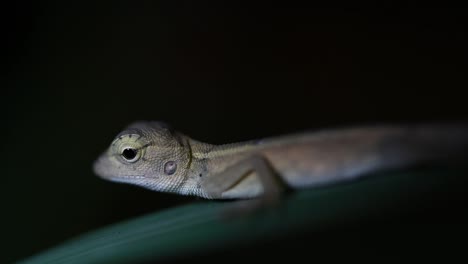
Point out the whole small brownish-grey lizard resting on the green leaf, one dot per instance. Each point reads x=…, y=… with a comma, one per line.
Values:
x=155, y=156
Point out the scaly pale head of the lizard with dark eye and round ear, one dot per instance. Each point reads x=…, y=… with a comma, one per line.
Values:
x=148, y=154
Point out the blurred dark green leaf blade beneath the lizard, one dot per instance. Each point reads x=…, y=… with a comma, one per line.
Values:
x=198, y=228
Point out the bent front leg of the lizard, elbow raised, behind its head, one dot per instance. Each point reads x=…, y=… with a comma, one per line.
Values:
x=273, y=186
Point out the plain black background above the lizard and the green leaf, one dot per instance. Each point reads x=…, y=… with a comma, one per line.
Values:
x=76, y=74
